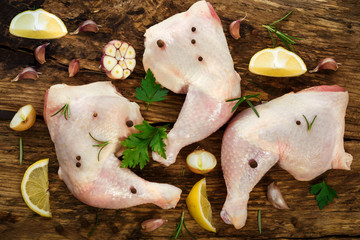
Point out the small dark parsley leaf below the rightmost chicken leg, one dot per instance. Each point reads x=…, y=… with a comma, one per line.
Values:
x=324, y=193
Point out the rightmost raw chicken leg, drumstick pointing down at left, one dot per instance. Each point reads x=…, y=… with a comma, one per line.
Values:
x=252, y=145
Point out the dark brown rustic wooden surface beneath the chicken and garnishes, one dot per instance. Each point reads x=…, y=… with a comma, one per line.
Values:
x=328, y=29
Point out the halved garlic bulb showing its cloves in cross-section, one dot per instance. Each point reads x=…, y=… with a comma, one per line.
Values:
x=118, y=59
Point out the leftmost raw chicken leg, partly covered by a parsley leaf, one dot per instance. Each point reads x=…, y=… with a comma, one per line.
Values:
x=94, y=176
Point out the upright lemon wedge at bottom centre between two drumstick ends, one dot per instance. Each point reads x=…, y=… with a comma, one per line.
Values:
x=199, y=206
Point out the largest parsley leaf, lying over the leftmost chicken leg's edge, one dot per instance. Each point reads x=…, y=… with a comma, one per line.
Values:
x=137, y=145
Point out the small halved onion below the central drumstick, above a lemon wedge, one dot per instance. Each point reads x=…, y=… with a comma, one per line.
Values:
x=201, y=161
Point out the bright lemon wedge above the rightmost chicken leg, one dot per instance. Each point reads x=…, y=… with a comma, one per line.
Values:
x=277, y=62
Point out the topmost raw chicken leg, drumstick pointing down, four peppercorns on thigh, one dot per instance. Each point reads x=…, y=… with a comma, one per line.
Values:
x=188, y=54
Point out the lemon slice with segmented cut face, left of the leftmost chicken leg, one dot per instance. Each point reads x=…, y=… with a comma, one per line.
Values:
x=35, y=188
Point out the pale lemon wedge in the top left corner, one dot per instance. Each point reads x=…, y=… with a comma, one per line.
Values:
x=37, y=24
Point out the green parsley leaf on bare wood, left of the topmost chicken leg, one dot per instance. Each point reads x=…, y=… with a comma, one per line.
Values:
x=149, y=91
